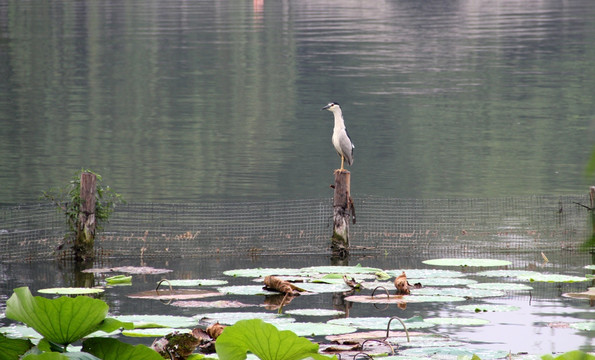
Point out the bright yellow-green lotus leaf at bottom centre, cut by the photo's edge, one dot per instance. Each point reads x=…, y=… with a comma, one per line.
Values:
x=265, y=341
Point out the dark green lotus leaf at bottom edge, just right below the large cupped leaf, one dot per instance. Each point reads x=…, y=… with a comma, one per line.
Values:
x=113, y=349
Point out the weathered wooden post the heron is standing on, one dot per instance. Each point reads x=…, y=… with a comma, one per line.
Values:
x=341, y=214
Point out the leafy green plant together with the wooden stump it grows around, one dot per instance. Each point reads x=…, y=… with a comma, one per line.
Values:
x=87, y=205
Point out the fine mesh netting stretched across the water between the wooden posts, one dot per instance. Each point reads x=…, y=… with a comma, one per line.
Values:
x=304, y=227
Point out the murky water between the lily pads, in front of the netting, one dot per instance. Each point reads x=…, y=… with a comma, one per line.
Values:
x=539, y=327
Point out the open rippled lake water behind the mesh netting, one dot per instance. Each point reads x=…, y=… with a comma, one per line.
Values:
x=220, y=100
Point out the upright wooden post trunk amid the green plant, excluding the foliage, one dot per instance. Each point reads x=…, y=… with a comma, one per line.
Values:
x=85, y=237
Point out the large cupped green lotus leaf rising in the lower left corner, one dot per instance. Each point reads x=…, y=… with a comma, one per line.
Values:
x=62, y=320
